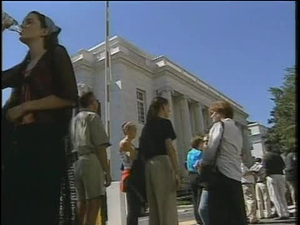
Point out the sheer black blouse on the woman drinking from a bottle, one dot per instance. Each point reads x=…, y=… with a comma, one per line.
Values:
x=52, y=75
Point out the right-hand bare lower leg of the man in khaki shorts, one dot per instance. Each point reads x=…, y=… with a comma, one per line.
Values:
x=92, y=210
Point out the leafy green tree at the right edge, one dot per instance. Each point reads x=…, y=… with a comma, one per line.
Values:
x=283, y=116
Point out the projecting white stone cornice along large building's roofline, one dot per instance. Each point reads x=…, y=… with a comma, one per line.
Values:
x=129, y=53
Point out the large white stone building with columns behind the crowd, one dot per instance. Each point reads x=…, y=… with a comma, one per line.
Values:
x=143, y=77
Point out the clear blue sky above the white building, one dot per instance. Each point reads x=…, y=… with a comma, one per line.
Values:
x=239, y=48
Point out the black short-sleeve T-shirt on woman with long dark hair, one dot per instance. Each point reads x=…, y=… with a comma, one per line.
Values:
x=154, y=135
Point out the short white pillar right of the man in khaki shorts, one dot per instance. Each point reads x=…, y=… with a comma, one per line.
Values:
x=116, y=205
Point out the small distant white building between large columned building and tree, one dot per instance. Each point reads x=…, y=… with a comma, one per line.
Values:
x=257, y=131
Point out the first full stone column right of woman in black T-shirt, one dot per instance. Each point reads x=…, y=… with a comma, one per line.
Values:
x=186, y=123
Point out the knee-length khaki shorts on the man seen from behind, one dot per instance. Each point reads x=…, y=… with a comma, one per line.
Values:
x=89, y=177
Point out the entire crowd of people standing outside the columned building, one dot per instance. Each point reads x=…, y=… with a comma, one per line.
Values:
x=38, y=117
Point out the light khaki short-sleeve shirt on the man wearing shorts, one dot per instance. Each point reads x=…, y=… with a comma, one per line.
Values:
x=87, y=132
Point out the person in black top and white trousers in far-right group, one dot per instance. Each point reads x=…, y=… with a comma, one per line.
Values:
x=274, y=166
